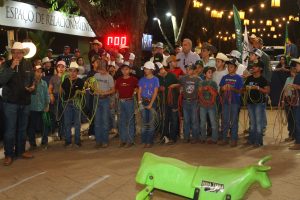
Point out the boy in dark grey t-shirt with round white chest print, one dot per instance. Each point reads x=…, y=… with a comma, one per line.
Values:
x=190, y=84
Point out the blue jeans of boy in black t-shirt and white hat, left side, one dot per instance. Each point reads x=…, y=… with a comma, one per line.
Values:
x=72, y=115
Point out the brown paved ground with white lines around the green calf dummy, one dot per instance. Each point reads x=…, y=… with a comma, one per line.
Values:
x=87, y=173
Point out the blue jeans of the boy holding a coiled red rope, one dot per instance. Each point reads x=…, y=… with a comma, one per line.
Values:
x=212, y=113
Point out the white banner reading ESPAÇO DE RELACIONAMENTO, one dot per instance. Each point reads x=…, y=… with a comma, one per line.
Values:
x=22, y=15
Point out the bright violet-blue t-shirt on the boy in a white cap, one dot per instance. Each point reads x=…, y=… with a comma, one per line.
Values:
x=148, y=86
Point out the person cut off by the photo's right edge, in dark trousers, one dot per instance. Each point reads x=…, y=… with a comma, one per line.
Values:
x=296, y=85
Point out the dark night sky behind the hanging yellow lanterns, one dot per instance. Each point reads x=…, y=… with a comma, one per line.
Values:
x=199, y=18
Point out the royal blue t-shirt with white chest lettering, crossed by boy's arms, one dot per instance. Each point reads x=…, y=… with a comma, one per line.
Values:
x=236, y=82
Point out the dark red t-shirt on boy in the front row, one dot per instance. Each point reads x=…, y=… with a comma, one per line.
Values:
x=125, y=87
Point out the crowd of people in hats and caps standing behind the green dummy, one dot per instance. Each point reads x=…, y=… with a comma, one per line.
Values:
x=202, y=93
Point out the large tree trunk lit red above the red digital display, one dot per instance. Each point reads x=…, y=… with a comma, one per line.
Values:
x=106, y=16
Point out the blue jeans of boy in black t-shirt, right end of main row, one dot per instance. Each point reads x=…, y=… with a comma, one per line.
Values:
x=256, y=115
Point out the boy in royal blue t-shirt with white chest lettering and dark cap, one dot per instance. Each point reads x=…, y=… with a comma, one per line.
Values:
x=231, y=86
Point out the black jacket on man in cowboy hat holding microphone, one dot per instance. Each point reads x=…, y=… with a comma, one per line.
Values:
x=14, y=82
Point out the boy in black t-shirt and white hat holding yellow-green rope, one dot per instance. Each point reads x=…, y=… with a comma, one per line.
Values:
x=72, y=114
